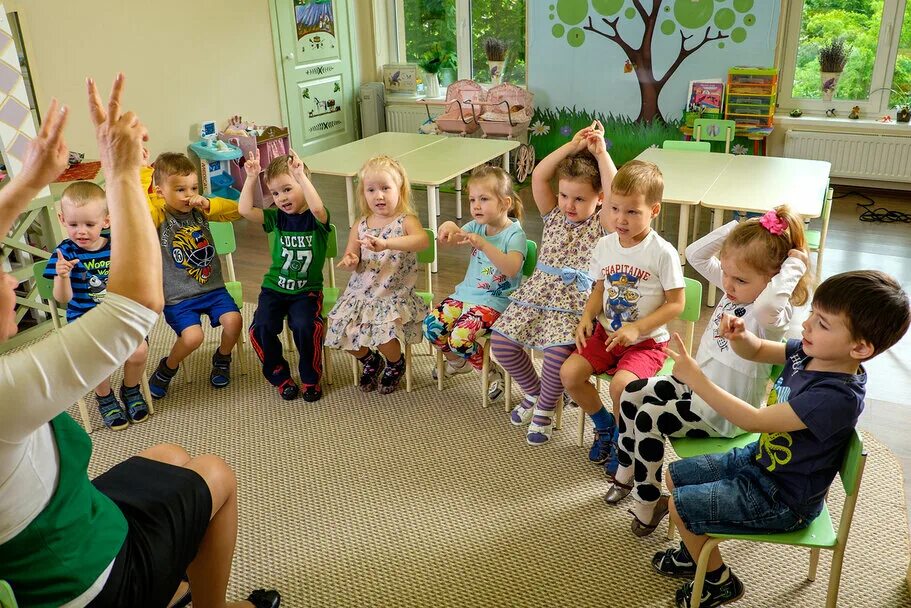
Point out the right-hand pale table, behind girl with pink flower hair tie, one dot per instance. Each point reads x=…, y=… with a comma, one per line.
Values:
x=759, y=183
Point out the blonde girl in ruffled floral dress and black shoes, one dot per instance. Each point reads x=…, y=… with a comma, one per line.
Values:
x=380, y=309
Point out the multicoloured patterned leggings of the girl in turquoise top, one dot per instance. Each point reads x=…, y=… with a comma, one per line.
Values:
x=453, y=329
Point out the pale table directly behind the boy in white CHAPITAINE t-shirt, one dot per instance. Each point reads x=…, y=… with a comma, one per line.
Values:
x=687, y=177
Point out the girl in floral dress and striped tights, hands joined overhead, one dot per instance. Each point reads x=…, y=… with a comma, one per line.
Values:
x=546, y=309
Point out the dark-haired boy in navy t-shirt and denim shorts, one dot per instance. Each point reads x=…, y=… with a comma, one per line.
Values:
x=779, y=483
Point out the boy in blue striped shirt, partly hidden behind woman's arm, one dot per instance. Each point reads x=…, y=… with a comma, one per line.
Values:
x=79, y=267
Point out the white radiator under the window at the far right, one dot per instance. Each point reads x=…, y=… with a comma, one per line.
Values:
x=870, y=157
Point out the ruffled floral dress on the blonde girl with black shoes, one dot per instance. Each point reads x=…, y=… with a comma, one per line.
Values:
x=379, y=303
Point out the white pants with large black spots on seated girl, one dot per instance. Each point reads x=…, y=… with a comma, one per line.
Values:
x=650, y=410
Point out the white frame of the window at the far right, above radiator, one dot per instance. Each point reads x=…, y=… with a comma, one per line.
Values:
x=883, y=68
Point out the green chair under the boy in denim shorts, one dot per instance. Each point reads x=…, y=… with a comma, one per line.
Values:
x=820, y=534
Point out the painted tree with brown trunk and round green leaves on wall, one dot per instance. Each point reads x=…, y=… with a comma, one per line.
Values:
x=722, y=20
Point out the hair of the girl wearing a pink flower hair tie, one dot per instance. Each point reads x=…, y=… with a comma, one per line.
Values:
x=766, y=252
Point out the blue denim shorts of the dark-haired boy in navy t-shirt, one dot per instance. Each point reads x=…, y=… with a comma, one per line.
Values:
x=728, y=494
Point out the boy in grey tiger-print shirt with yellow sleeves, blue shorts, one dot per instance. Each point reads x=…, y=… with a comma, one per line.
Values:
x=193, y=284
